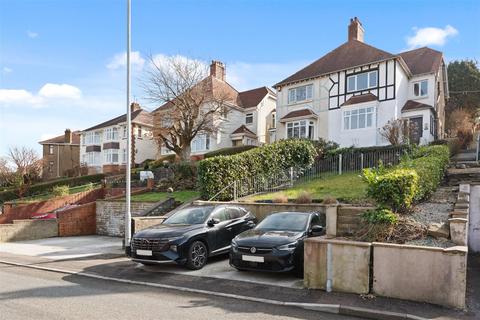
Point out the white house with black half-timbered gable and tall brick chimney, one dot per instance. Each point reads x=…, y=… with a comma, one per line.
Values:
x=349, y=94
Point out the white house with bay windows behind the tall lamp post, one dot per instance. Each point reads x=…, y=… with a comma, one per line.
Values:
x=103, y=146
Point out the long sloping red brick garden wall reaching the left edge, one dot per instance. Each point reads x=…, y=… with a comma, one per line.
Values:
x=14, y=210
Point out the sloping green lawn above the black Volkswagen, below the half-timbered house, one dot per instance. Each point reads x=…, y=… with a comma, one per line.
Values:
x=347, y=187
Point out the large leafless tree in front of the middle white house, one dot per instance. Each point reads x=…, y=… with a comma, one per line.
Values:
x=193, y=103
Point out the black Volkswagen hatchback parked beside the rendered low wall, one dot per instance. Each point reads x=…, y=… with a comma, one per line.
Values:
x=276, y=243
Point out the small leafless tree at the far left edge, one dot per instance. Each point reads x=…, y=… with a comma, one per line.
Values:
x=28, y=169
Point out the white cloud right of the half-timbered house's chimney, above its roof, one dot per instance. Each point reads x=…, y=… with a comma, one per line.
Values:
x=431, y=36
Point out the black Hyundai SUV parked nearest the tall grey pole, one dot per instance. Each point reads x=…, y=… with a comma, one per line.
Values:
x=191, y=235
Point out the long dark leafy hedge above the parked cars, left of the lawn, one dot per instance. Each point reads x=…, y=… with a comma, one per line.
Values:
x=216, y=173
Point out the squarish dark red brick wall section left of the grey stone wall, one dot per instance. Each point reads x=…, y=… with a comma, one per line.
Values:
x=77, y=221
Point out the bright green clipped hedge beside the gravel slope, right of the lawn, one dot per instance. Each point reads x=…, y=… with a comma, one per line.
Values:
x=414, y=179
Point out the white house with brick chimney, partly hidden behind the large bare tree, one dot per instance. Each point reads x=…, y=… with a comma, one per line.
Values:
x=249, y=121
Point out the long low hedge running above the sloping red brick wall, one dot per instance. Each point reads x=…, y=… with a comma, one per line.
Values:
x=45, y=187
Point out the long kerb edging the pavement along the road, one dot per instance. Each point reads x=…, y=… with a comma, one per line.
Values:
x=327, y=308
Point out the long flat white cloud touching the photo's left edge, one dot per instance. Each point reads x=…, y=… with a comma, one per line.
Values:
x=48, y=94
